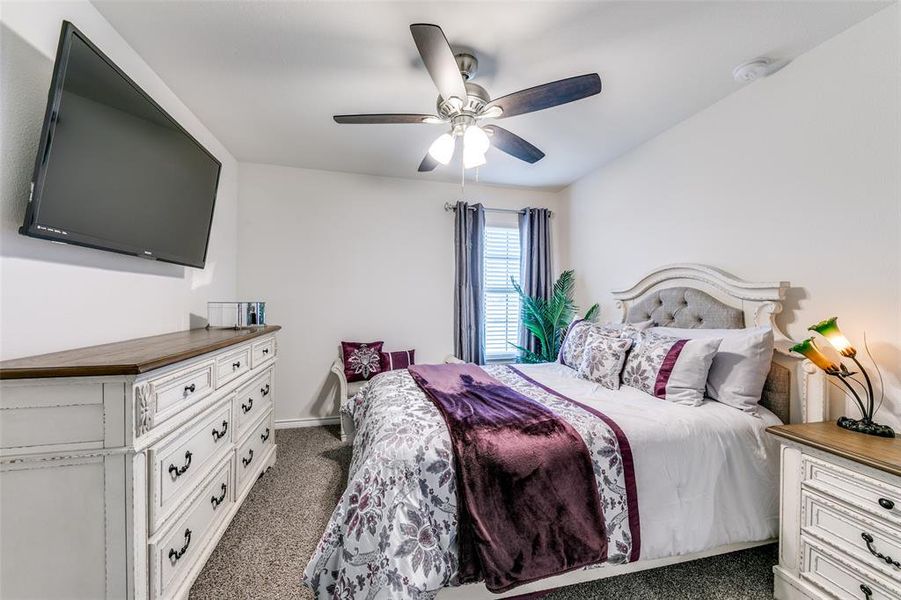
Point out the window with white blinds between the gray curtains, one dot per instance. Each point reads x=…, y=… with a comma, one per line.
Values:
x=501, y=300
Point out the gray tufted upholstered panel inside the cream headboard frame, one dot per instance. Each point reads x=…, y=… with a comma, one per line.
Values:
x=691, y=308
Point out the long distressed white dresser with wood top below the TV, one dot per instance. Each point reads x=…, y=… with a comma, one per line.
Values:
x=122, y=465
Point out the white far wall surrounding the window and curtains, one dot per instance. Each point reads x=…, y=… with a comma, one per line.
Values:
x=351, y=257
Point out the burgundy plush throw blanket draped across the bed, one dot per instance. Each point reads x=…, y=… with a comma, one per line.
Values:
x=528, y=500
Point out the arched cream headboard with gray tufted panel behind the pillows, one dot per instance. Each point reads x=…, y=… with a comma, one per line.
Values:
x=697, y=296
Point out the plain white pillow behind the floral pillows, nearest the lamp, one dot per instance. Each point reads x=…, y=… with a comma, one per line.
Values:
x=740, y=366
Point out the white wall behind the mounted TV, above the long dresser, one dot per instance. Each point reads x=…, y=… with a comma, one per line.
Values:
x=55, y=297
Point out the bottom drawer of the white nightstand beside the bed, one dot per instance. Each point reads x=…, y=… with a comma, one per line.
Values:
x=842, y=578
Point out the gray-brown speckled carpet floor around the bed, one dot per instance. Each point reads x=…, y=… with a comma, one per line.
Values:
x=266, y=547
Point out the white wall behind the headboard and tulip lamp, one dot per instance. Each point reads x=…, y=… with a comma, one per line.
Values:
x=796, y=177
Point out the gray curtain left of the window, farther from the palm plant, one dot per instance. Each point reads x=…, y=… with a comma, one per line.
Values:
x=469, y=323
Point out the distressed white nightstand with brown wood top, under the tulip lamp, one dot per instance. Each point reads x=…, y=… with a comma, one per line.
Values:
x=840, y=530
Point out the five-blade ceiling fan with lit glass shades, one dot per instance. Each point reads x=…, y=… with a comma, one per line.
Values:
x=462, y=104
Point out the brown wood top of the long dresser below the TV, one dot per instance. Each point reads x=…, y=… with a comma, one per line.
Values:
x=131, y=357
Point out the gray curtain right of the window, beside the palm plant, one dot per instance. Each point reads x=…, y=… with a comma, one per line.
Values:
x=535, y=271
